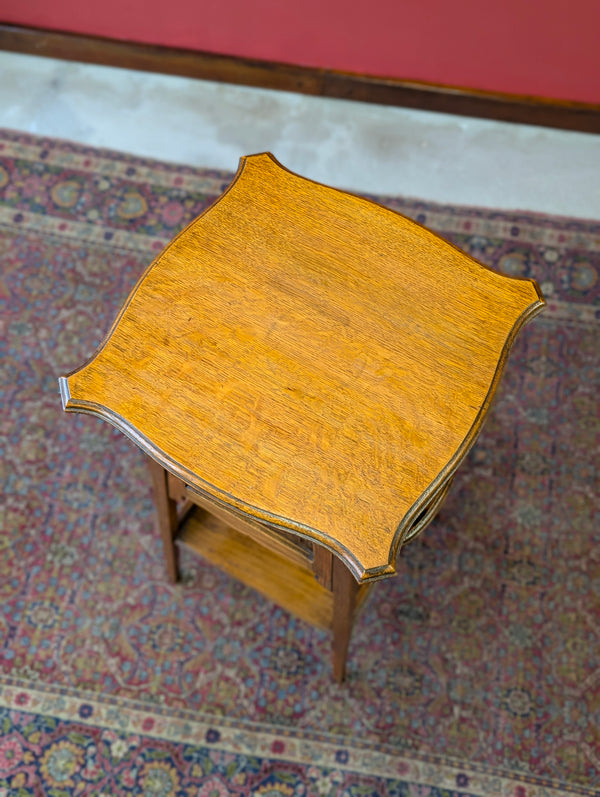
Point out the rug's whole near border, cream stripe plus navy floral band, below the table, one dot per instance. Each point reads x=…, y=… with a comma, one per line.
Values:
x=62, y=743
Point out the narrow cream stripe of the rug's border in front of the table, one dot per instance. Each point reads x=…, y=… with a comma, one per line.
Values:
x=276, y=743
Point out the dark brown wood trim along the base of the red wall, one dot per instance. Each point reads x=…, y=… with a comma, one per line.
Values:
x=563, y=114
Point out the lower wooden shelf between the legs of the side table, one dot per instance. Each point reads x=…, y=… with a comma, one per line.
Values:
x=286, y=583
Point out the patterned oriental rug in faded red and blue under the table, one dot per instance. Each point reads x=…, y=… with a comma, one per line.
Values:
x=475, y=672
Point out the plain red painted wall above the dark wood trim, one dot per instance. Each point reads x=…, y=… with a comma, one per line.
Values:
x=547, y=48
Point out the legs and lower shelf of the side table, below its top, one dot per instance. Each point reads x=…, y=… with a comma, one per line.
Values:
x=314, y=587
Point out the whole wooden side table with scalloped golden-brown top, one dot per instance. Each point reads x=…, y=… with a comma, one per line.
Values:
x=306, y=370
